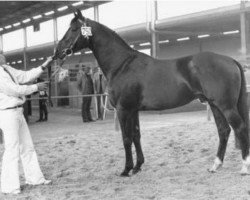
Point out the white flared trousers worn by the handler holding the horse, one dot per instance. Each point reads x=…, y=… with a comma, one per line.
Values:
x=17, y=144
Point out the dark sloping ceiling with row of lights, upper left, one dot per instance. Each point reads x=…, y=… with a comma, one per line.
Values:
x=12, y=12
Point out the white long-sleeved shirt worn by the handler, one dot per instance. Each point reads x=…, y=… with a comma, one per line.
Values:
x=11, y=93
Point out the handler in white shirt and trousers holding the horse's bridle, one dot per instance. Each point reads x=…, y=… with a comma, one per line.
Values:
x=17, y=140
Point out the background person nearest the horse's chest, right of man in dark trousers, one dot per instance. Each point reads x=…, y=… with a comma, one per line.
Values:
x=100, y=87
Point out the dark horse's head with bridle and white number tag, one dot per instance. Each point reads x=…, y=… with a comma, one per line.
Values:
x=76, y=38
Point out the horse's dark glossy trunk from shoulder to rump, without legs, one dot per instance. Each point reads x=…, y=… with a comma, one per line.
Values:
x=152, y=84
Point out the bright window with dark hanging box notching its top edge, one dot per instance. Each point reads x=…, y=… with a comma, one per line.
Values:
x=45, y=34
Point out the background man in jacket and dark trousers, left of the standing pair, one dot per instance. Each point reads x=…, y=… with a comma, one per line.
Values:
x=85, y=86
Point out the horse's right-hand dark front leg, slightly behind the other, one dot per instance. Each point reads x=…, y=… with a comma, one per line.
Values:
x=137, y=143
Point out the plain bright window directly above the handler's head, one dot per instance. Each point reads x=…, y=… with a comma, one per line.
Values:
x=13, y=40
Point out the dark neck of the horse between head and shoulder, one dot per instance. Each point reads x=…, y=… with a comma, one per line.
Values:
x=110, y=52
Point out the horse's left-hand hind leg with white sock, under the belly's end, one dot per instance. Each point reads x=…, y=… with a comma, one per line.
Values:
x=223, y=131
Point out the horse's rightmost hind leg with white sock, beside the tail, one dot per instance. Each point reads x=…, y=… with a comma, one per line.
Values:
x=241, y=133
